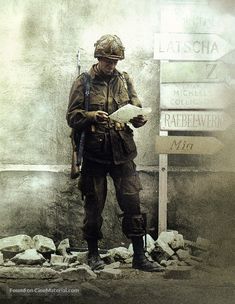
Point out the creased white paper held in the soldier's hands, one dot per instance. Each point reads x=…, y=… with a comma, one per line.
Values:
x=127, y=112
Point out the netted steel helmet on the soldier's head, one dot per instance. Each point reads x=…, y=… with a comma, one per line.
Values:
x=109, y=46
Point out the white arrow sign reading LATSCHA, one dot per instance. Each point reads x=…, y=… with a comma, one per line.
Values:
x=192, y=47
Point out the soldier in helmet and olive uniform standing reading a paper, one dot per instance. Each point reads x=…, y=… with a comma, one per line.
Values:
x=108, y=148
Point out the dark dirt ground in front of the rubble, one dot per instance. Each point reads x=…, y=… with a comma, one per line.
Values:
x=206, y=286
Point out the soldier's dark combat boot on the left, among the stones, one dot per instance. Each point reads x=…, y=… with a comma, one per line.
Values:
x=93, y=259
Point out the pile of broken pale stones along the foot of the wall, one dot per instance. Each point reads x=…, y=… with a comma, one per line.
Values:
x=24, y=257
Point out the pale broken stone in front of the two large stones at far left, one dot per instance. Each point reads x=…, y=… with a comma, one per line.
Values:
x=29, y=257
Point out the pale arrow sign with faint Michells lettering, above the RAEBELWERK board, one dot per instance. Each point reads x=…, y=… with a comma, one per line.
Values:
x=195, y=96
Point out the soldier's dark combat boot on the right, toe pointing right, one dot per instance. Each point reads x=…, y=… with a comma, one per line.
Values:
x=140, y=261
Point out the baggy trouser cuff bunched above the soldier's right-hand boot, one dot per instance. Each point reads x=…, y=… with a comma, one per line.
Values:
x=133, y=225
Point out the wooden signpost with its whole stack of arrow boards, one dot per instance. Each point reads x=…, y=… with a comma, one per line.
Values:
x=193, y=85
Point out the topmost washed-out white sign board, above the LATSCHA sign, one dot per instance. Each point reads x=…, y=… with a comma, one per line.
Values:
x=190, y=18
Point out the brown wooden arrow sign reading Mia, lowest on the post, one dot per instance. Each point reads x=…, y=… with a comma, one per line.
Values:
x=187, y=145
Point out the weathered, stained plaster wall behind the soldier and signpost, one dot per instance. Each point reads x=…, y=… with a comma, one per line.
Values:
x=39, y=42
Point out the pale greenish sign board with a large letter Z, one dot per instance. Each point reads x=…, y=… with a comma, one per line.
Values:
x=205, y=71
